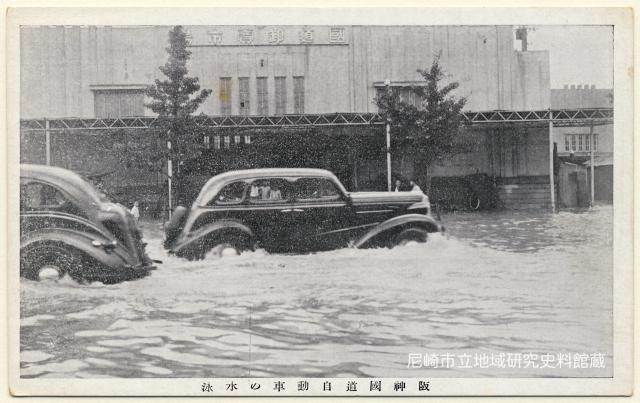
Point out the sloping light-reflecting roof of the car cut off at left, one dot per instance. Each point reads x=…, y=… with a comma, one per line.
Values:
x=66, y=179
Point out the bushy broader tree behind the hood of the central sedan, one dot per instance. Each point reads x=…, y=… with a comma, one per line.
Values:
x=429, y=131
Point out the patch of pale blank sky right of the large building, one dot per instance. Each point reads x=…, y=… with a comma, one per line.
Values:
x=579, y=54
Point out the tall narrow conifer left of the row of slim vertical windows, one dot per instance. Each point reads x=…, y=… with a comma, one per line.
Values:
x=172, y=99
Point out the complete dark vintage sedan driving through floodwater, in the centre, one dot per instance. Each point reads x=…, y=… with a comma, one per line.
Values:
x=294, y=210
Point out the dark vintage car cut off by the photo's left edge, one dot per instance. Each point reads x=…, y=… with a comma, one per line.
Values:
x=69, y=227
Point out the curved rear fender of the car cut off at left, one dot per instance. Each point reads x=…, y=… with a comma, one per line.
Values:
x=116, y=258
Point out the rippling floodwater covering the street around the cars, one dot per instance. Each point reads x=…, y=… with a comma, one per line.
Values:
x=508, y=282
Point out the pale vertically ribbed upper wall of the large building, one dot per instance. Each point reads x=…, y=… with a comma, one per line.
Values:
x=59, y=64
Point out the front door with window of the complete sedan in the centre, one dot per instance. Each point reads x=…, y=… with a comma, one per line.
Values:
x=321, y=214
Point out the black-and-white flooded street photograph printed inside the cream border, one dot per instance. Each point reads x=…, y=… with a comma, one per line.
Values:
x=346, y=208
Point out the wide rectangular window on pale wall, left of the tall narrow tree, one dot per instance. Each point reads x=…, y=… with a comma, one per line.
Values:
x=118, y=103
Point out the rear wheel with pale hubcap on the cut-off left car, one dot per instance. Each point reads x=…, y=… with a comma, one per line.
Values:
x=50, y=262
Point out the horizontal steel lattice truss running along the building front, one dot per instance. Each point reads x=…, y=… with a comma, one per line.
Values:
x=559, y=117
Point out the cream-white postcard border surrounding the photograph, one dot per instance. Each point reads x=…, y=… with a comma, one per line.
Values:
x=621, y=18
